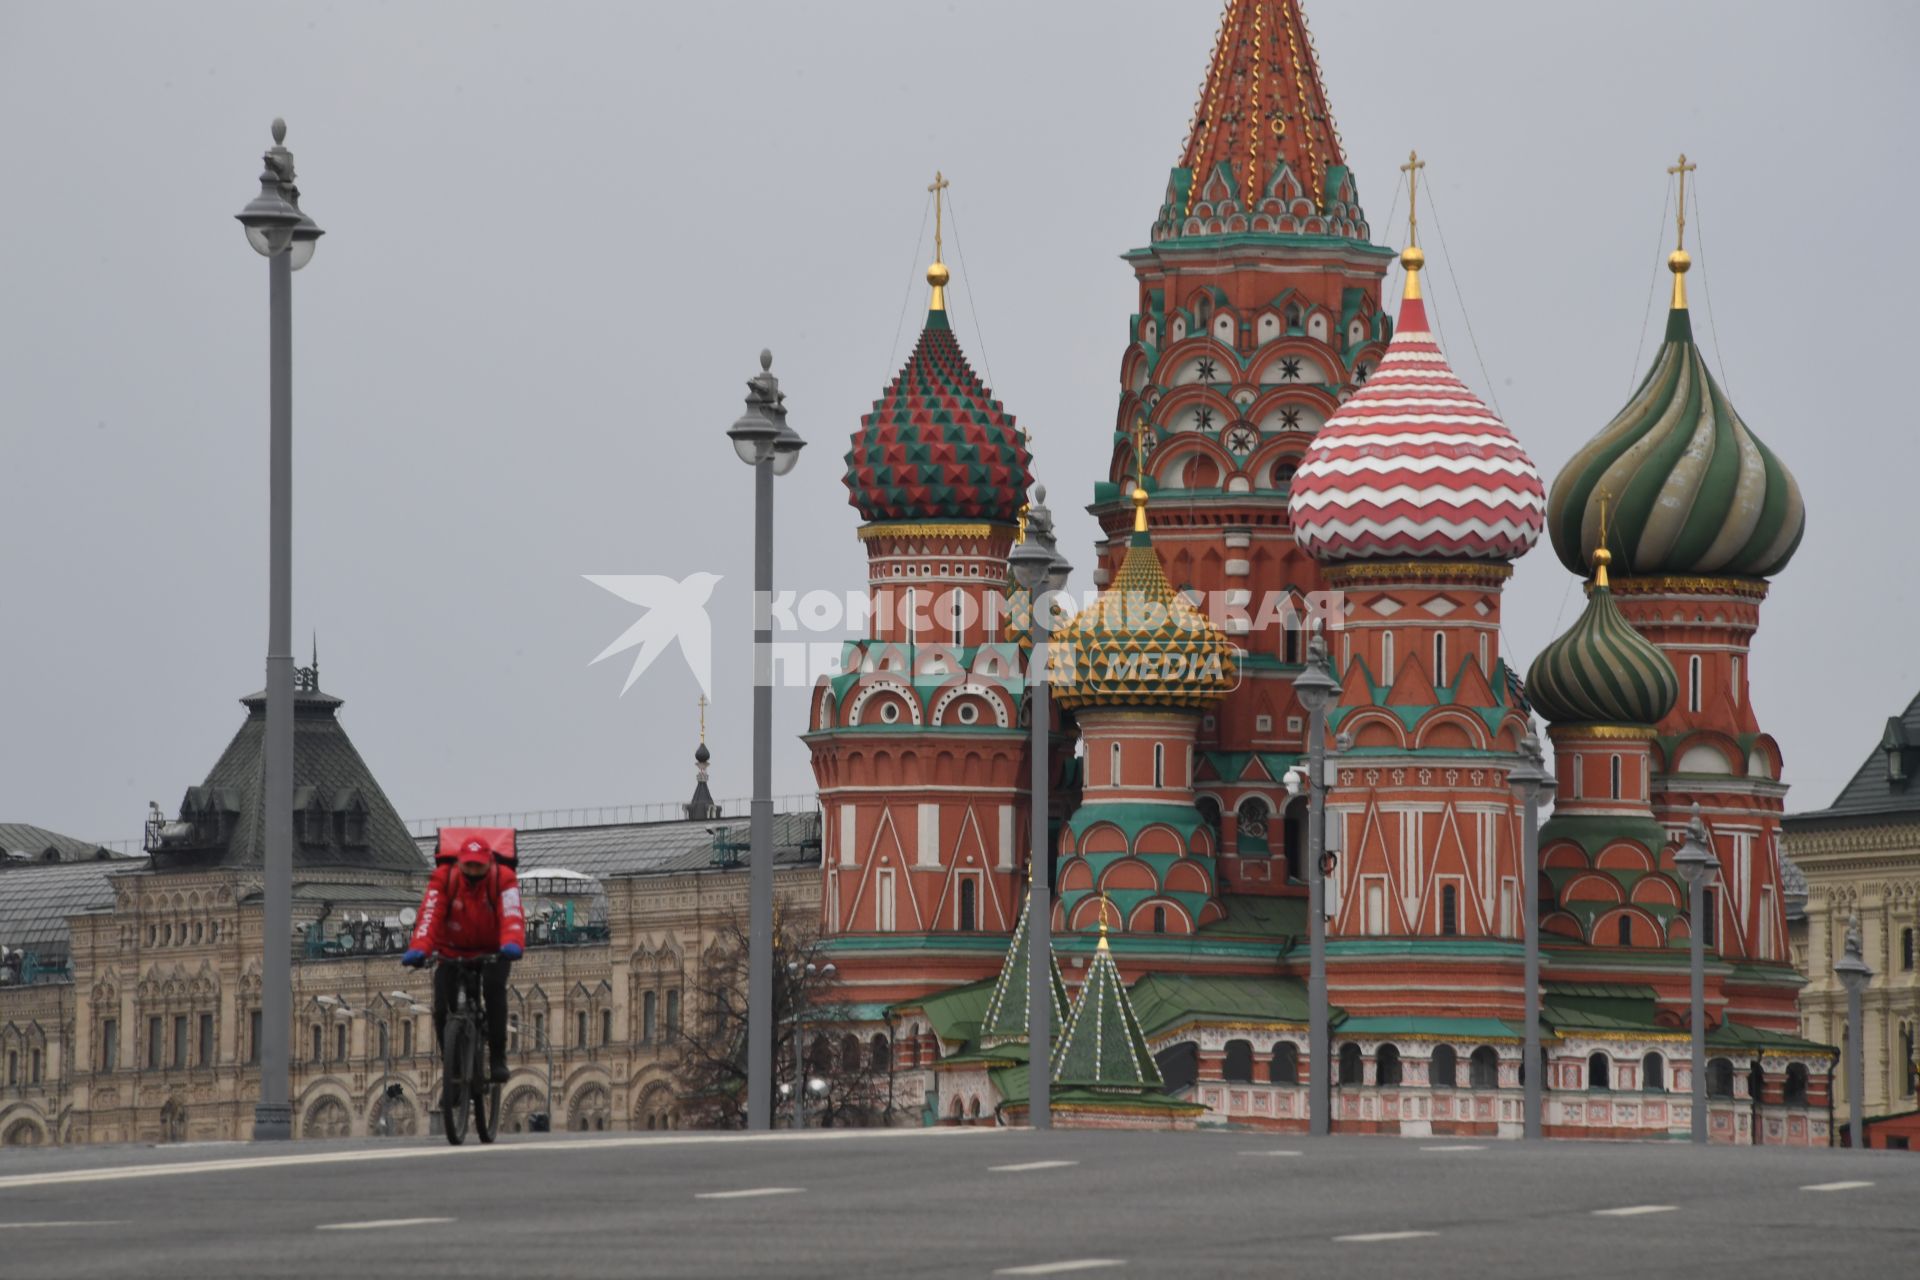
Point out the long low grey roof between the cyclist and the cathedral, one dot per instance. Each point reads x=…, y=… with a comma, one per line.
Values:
x=660, y=847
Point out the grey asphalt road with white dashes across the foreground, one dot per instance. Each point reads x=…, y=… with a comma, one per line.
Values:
x=957, y=1204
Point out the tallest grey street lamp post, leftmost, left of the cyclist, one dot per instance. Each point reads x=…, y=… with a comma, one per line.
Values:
x=285, y=237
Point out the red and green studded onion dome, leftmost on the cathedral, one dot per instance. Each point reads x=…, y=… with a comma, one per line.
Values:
x=938, y=444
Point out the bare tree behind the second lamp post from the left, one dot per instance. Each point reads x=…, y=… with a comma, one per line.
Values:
x=711, y=1047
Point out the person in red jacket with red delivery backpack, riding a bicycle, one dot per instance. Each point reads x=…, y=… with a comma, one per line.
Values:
x=471, y=911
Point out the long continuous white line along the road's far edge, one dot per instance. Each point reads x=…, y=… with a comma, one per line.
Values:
x=120, y=1173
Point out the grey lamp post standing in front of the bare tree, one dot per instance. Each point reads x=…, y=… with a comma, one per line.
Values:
x=765, y=442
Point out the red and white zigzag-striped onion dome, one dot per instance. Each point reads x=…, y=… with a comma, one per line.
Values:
x=1414, y=465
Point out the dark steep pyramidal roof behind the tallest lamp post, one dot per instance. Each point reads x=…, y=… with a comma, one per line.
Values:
x=333, y=794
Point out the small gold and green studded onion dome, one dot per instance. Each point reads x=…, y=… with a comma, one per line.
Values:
x=1141, y=644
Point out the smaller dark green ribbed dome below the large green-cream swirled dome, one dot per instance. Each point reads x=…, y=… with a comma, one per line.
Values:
x=1602, y=671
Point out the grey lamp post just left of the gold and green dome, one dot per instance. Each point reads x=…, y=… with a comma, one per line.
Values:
x=1040, y=571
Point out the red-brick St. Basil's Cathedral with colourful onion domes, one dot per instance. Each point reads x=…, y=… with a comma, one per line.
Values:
x=1291, y=446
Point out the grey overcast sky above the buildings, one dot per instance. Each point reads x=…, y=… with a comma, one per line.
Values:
x=560, y=235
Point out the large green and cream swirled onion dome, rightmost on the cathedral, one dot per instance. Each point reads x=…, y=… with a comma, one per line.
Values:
x=1687, y=488
